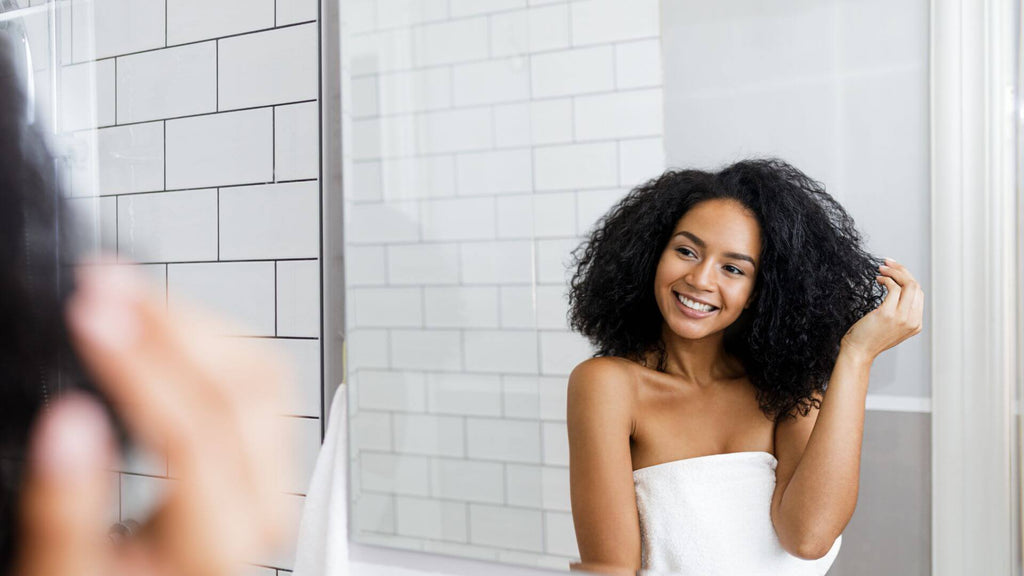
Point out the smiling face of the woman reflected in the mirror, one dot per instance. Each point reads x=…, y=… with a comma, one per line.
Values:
x=706, y=276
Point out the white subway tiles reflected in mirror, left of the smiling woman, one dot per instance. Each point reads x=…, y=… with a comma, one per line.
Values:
x=488, y=137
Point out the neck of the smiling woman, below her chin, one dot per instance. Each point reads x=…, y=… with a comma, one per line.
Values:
x=702, y=362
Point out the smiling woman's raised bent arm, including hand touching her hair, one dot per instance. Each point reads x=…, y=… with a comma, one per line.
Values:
x=820, y=455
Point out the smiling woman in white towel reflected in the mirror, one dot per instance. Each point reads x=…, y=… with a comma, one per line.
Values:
x=736, y=317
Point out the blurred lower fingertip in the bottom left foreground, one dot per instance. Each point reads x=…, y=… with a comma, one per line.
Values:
x=66, y=504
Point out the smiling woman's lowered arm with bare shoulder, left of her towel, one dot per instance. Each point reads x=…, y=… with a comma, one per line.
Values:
x=605, y=510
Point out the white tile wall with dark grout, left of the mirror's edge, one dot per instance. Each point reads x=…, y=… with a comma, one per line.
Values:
x=197, y=125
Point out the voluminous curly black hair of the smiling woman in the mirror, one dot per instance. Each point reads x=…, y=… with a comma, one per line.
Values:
x=815, y=281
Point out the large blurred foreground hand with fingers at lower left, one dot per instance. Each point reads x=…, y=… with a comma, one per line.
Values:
x=205, y=402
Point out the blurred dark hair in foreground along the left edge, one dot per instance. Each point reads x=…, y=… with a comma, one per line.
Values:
x=36, y=250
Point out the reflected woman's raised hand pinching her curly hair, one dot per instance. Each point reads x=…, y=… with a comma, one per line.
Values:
x=899, y=318
